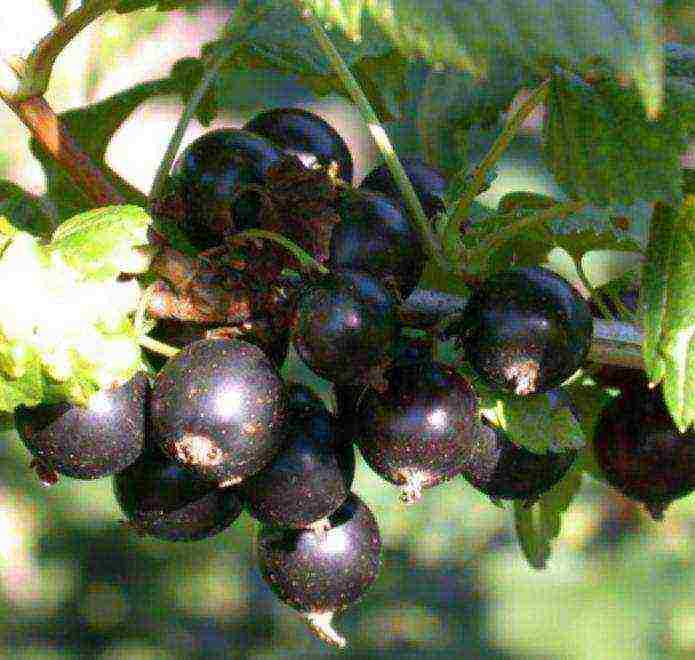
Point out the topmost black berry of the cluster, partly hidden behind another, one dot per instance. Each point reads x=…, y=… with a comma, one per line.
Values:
x=305, y=135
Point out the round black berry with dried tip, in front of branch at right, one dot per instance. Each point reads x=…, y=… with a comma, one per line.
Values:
x=525, y=330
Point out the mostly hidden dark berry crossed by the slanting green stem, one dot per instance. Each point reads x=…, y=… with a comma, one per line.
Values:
x=429, y=183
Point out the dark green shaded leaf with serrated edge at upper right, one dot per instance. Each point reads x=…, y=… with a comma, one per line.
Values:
x=601, y=146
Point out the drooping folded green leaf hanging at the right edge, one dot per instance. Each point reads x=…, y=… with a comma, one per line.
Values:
x=668, y=289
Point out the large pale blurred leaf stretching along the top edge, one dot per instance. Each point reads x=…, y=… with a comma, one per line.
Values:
x=471, y=35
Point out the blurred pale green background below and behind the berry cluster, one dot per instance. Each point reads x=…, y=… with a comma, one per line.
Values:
x=75, y=583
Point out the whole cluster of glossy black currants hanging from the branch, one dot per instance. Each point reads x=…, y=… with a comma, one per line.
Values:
x=218, y=431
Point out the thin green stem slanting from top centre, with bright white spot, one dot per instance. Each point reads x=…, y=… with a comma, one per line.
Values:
x=422, y=224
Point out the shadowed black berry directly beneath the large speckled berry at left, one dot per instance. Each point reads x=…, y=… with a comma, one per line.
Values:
x=162, y=499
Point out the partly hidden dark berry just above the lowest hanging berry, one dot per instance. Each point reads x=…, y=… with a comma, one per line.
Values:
x=304, y=483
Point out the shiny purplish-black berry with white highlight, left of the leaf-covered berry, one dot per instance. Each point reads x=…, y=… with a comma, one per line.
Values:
x=416, y=433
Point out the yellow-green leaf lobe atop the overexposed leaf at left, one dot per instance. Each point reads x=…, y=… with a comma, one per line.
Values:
x=100, y=243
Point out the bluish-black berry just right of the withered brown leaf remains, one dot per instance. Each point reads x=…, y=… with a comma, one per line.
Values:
x=375, y=236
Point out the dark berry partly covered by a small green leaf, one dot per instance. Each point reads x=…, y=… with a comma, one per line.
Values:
x=504, y=470
